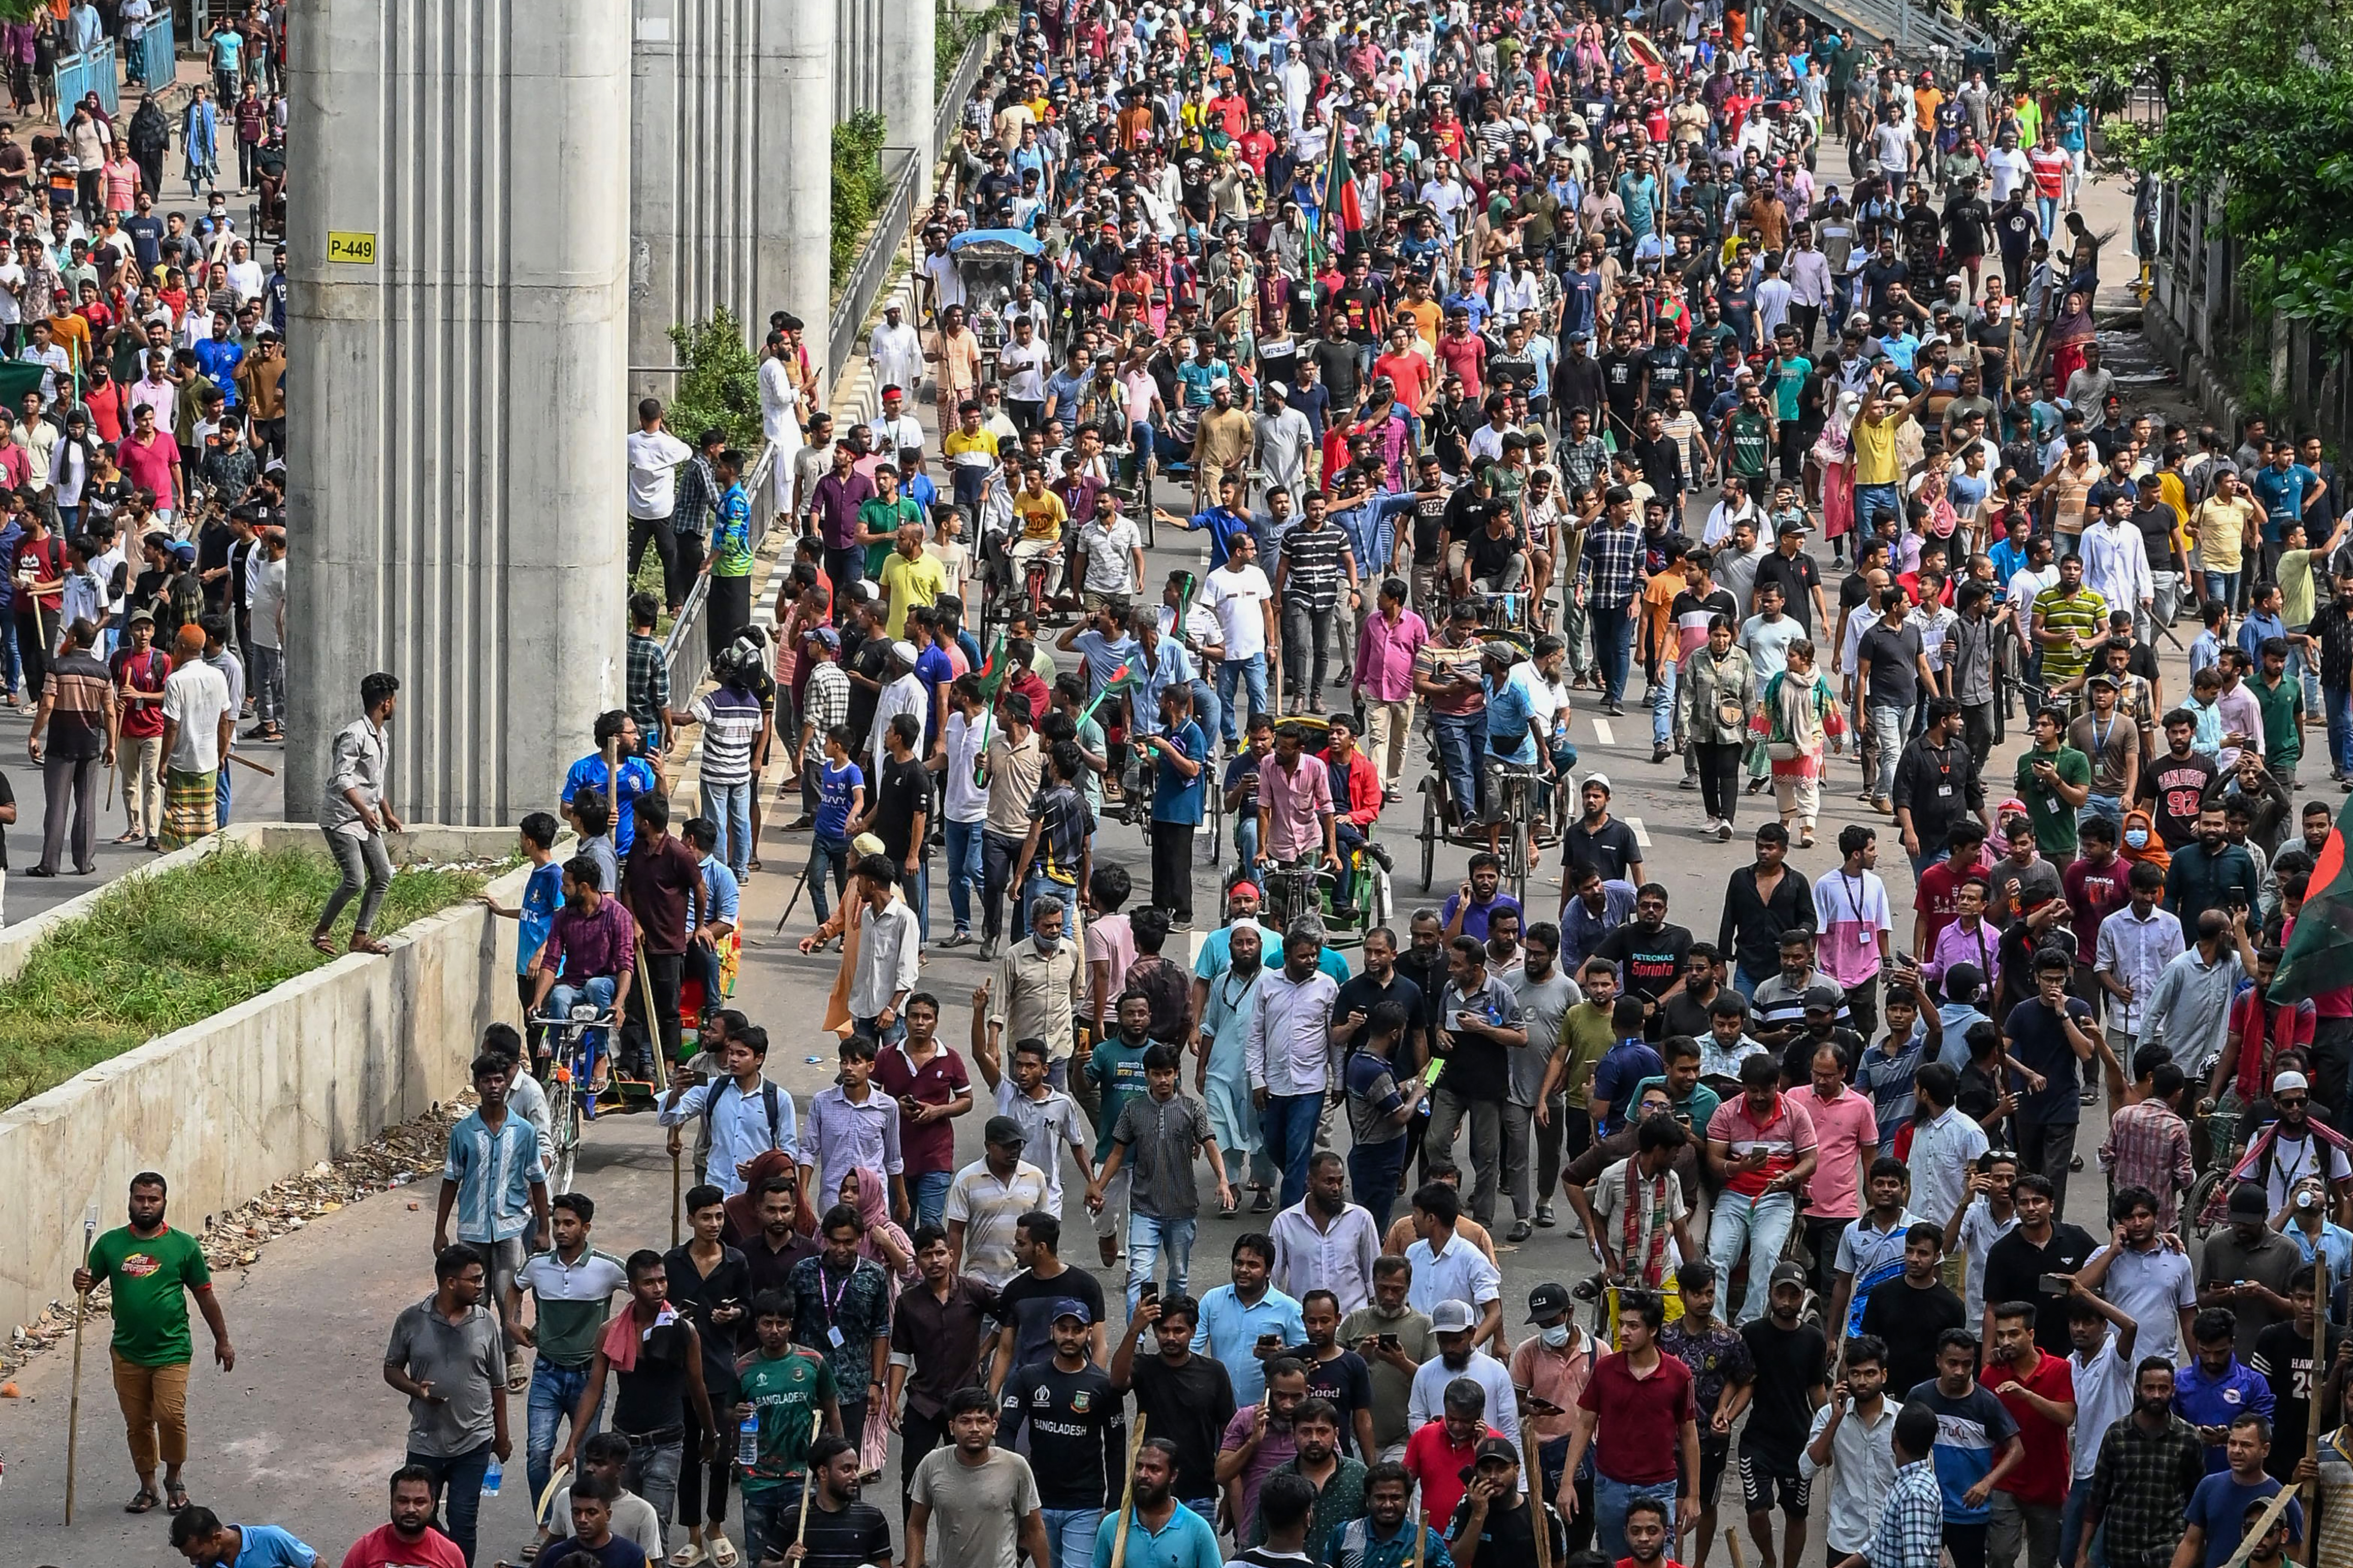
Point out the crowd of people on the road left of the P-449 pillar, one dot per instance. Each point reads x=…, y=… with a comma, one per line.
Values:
x=142, y=448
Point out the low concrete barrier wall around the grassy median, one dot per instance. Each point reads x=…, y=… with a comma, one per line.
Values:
x=302, y=1073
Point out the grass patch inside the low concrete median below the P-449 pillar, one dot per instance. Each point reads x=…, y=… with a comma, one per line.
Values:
x=161, y=953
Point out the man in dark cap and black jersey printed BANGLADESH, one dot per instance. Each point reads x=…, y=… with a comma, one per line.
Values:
x=1079, y=1433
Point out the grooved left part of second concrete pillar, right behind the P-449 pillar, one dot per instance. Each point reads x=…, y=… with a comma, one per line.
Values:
x=693, y=177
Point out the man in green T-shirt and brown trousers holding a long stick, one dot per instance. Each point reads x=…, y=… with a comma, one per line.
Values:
x=152, y=1271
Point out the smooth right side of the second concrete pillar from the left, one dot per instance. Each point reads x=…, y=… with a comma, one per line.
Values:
x=794, y=243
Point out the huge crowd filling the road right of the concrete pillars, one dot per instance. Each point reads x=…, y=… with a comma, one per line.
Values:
x=1451, y=319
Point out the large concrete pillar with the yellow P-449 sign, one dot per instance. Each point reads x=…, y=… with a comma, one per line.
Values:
x=458, y=462
